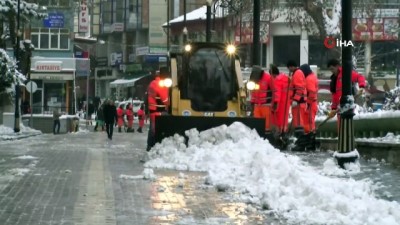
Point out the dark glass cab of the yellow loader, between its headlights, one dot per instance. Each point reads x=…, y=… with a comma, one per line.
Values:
x=207, y=77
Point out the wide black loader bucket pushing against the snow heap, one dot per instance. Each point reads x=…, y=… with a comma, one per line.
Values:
x=167, y=125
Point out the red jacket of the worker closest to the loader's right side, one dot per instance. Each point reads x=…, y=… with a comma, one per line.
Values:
x=263, y=95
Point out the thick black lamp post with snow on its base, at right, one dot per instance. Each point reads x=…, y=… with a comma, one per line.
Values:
x=346, y=145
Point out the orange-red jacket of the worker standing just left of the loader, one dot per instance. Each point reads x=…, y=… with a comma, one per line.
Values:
x=157, y=96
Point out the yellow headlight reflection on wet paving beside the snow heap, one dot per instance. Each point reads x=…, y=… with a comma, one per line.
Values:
x=185, y=199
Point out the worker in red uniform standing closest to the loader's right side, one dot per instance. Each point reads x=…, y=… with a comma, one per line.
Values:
x=261, y=98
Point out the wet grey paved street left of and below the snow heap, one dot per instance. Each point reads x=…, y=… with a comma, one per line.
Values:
x=85, y=179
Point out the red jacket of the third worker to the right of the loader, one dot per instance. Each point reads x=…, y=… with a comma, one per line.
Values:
x=297, y=89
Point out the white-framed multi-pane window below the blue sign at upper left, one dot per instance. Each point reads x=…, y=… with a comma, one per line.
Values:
x=50, y=38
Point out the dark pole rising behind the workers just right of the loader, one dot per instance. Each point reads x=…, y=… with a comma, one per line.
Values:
x=256, y=33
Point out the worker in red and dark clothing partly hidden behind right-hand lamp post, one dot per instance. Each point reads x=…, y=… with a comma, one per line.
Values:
x=336, y=85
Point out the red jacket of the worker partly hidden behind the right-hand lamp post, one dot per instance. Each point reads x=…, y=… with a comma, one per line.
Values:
x=336, y=89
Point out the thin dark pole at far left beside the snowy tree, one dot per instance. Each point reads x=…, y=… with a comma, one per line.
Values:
x=17, y=88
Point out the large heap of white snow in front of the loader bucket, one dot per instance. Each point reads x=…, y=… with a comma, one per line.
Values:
x=237, y=159
